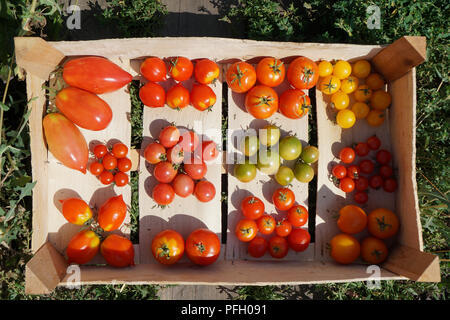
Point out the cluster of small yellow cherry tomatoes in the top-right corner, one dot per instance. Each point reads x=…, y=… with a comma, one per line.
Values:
x=341, y=79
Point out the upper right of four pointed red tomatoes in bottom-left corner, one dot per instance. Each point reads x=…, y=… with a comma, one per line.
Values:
x=112, y=213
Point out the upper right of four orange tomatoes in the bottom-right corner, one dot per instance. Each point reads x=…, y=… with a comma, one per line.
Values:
x=382, y=223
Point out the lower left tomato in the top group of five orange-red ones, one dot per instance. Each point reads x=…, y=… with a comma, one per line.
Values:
x=261, y=102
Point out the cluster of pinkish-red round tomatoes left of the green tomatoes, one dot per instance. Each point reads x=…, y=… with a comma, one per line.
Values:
x=179, y=160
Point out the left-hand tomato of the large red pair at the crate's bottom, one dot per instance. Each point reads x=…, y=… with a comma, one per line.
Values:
x=168, y=247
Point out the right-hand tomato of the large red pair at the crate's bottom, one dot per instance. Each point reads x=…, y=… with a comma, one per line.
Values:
x=203, y=247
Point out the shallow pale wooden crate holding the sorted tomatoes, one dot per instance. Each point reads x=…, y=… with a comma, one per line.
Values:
x=396, y=62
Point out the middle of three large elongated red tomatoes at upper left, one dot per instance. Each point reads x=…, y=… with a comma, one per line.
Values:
x=84, y=108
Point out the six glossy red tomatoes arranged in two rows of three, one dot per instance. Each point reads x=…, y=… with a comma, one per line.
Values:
x=180, y=69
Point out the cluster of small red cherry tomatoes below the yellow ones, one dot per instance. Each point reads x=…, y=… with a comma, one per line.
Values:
x=367, y=173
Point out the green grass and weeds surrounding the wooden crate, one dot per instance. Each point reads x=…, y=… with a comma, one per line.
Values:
x=314, y=21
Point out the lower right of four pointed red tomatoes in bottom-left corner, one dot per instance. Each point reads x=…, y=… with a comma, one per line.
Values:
x=118, y=251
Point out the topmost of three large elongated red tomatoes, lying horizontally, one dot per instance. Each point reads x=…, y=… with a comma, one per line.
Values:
x=95, y=74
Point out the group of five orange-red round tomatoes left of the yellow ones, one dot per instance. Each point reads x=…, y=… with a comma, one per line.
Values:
x=261, y=100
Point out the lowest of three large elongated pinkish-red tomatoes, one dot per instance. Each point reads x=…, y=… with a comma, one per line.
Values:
x=65, y=141
